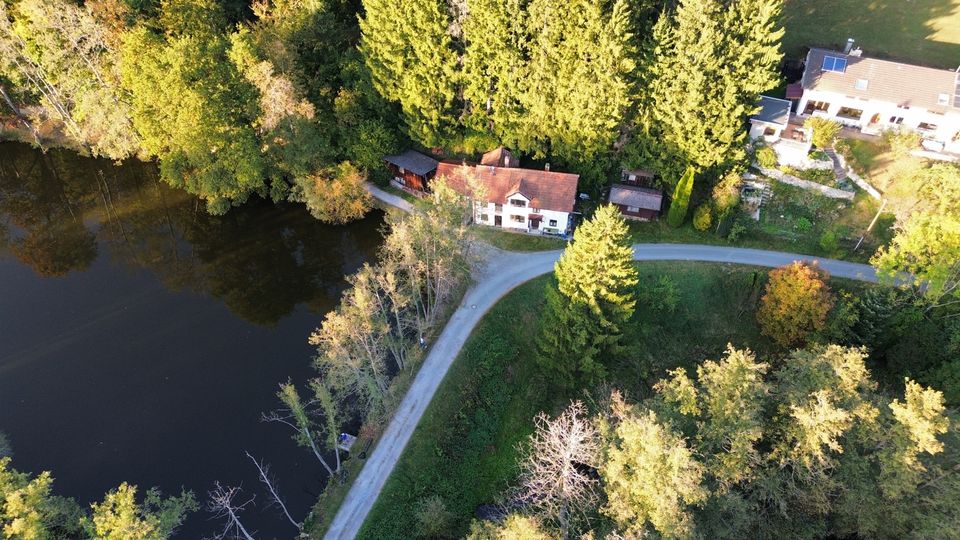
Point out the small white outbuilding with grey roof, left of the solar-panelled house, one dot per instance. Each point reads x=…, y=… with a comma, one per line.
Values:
x=785, y=134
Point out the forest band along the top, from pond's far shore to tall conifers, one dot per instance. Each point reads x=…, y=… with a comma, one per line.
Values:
x=300, y=99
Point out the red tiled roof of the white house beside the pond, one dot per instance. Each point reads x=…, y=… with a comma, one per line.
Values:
x=548, y=190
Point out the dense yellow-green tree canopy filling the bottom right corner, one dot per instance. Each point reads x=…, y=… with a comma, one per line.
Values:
x=802, y=447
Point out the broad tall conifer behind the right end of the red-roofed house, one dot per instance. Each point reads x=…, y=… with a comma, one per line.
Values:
x=578, y=85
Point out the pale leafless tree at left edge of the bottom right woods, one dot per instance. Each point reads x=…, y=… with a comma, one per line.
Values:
x=557, y=476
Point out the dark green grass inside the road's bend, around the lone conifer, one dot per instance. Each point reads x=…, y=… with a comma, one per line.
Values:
x=464, y=448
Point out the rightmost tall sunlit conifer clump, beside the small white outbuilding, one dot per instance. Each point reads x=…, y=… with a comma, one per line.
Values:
x=710, y=64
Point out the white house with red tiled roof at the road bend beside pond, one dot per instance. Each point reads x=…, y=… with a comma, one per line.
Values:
x=527, y=200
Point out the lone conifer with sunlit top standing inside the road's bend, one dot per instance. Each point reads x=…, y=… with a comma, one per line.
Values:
x=592, y=301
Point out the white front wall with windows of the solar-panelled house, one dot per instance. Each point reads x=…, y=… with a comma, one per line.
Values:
x=947, y=124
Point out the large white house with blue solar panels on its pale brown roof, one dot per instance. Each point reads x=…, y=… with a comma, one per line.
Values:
x=874, y=95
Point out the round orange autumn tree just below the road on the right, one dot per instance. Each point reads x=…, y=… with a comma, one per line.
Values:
x=796, y=303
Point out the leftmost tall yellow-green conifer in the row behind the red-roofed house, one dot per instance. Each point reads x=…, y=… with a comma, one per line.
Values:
x=409, y=51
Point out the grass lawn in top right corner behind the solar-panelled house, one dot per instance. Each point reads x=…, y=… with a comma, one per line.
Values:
x=923, y=32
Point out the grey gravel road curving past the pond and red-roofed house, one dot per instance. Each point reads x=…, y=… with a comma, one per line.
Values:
x=505, y=271
